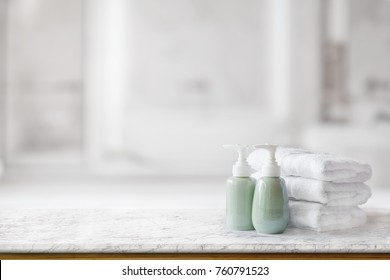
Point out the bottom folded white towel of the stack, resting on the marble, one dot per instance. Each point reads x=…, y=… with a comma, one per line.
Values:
x=317, y=217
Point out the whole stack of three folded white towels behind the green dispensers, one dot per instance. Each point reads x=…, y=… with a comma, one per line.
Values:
x=324, y=190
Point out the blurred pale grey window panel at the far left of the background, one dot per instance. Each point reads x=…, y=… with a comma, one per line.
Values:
x=44, y=99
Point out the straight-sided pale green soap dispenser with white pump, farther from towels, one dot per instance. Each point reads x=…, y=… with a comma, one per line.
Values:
x=239, y=192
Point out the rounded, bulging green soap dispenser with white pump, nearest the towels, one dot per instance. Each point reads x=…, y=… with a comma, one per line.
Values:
x=270, y=210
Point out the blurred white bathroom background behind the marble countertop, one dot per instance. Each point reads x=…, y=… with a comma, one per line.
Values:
x=145, y=92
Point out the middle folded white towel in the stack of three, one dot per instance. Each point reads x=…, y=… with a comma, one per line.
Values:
x=328, y=193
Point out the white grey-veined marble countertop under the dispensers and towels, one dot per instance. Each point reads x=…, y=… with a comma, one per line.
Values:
x=163, y=231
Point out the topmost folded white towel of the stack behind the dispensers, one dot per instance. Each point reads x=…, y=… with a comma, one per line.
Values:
x=320, y=166
